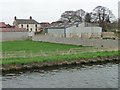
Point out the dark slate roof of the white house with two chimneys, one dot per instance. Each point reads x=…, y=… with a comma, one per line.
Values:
x=26, y=21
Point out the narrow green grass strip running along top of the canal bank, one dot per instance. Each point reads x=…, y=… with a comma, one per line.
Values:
x=58, y=58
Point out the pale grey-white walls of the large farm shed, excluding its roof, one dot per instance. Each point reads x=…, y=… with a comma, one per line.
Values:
x=76, y=31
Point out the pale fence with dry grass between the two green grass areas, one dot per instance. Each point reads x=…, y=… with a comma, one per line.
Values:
x=26, y=54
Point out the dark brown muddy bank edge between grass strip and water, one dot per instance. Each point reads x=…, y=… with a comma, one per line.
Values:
x=20, y=67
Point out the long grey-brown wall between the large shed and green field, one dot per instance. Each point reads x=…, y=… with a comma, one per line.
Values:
x=78, y=41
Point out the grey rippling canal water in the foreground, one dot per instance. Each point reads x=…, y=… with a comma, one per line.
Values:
x=85, y=76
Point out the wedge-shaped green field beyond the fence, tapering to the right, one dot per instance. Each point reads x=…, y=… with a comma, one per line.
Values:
x=34, y=46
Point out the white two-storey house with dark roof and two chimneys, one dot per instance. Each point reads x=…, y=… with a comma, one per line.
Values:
x=30, y=24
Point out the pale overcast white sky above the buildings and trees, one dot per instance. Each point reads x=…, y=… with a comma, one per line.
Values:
x=48, y=10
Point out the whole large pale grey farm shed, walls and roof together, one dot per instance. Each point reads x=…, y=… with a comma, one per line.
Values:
x=81, y=30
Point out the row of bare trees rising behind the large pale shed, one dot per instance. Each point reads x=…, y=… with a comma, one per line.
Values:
x=100, y=15
